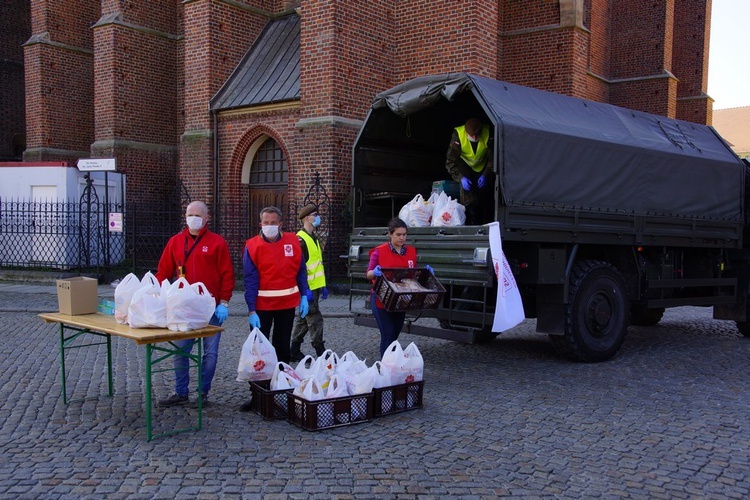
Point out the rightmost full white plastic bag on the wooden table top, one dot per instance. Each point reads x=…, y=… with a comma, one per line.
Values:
x=189, y=307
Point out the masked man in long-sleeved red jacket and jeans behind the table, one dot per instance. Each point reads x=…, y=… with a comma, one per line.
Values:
x=198, y=254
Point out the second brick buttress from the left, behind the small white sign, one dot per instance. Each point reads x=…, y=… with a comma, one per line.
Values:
x=138, y=80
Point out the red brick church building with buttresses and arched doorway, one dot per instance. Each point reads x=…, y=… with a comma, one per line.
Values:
x=248, y=102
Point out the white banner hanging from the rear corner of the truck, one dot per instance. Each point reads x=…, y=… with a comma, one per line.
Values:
x=509, y=308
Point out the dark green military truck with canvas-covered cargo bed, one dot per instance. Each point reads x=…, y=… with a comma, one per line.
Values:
x=608, y=215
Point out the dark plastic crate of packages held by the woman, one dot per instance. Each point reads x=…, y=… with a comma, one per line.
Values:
x=408, y=288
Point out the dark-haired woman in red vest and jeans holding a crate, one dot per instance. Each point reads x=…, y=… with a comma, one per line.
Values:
x=393, y=253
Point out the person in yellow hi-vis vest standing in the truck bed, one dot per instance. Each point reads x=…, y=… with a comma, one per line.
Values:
x=469, y=161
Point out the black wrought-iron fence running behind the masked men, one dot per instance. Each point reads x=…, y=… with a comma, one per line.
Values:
x=84, y=237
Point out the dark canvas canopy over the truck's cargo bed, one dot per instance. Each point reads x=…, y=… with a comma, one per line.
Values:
x=555, y=151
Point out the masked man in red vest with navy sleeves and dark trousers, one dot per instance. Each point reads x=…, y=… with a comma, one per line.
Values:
x=275, y=278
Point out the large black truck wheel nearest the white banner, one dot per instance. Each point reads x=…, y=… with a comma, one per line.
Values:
x=596, y=317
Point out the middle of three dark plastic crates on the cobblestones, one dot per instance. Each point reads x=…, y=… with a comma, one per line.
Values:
x=328, y=413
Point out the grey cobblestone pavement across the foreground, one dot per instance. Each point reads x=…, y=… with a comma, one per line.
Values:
x=667, y=418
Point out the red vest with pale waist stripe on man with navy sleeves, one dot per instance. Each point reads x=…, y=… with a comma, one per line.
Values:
x=278, y=264
